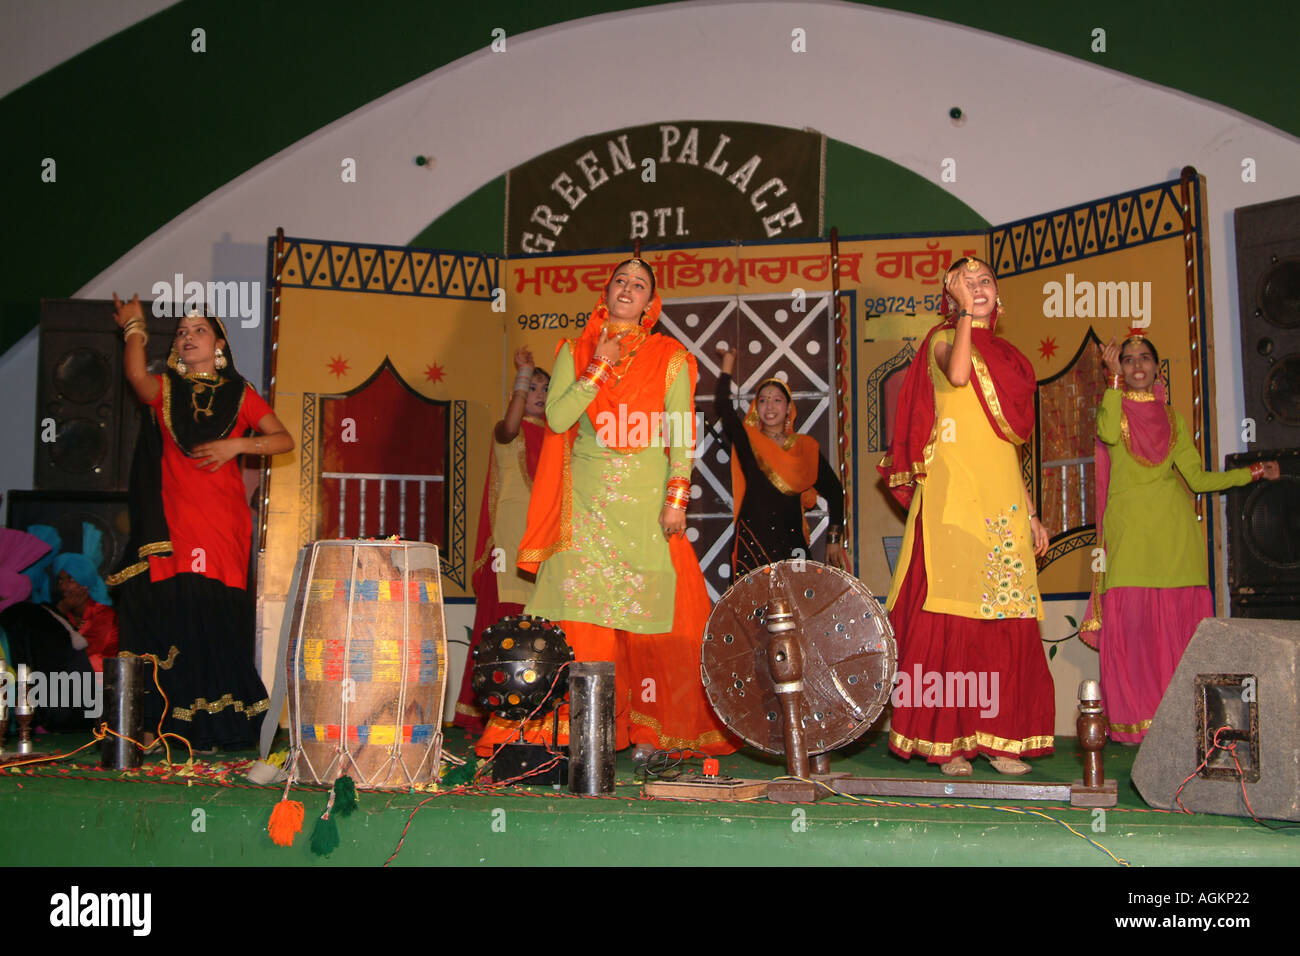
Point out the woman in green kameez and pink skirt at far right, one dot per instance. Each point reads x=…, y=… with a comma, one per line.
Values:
x=1154, y=591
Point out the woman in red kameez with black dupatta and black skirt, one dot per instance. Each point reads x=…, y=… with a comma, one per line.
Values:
x=185, y=591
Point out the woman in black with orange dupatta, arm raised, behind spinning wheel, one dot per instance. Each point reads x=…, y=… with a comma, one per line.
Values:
x=777, y=475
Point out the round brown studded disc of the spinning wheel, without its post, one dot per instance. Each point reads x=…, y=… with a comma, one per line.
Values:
x=847, y=646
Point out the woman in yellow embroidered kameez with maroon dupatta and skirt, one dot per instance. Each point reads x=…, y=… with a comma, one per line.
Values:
x=965, y=602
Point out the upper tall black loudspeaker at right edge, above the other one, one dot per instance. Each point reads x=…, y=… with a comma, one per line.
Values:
x=1268, y=283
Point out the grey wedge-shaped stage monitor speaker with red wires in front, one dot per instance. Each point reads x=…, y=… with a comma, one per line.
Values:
x=1240, y=676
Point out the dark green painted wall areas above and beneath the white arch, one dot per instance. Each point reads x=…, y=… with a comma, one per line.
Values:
x=142, y=128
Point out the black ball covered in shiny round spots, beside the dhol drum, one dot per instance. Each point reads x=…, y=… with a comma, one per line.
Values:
x=515, y=664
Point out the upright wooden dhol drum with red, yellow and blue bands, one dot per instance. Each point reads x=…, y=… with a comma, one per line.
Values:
x=367, y=665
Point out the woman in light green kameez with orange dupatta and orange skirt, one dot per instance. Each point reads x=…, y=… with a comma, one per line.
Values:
x=608, y=521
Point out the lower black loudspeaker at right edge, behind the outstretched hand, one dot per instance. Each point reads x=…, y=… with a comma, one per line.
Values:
x=1264, y=539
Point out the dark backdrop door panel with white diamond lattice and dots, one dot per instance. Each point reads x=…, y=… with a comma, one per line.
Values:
x=774, y=340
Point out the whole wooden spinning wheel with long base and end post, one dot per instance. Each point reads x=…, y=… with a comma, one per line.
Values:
x=799, y=661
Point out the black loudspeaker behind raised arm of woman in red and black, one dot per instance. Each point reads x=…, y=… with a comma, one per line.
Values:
x=86, y=414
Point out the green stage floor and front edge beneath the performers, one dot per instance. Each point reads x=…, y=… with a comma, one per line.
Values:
x=75, y=815
